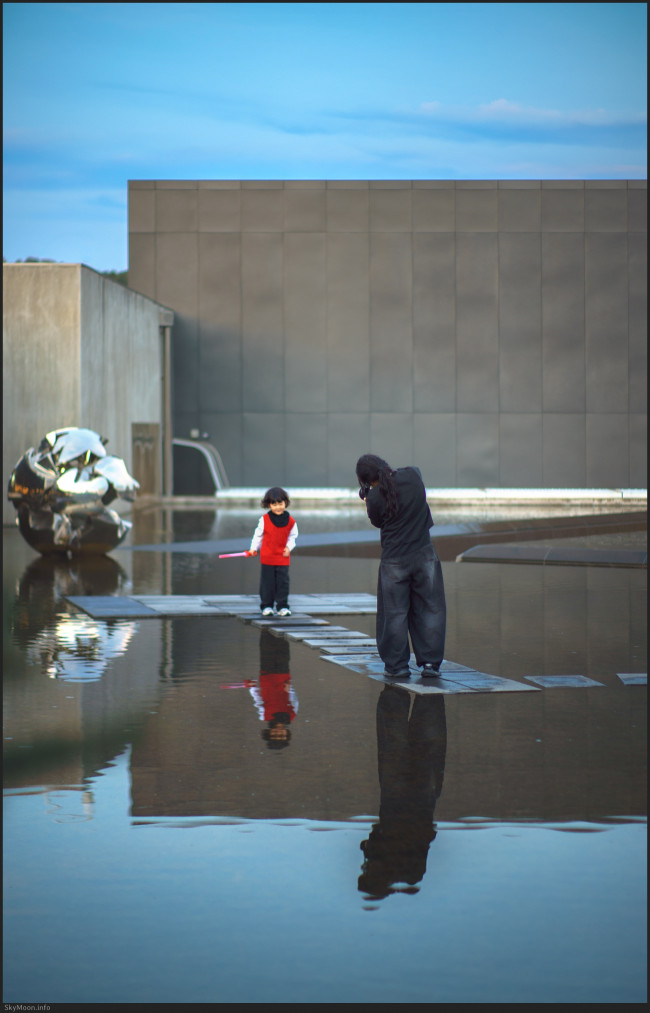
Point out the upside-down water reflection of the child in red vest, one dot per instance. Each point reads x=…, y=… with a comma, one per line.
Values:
x=275, y=696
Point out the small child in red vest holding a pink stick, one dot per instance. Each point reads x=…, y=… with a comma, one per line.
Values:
x=275, y=536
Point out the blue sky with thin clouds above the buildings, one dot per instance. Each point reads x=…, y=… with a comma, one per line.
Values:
x=97, y=95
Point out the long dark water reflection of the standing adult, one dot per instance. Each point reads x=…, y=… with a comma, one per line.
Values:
x=412, y=751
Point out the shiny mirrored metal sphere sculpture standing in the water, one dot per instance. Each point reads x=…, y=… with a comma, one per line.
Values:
x=62, y=493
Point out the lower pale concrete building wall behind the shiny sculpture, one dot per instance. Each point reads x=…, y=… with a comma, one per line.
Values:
x=78, y=350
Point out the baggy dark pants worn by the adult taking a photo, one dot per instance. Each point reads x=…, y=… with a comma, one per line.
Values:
x=411, y=599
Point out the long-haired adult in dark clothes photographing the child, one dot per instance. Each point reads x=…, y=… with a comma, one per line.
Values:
x=411, y=592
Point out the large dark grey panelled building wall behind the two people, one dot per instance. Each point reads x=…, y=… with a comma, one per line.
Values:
x=495, y=333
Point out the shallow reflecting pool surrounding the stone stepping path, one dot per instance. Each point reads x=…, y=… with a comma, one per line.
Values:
x=161, y=845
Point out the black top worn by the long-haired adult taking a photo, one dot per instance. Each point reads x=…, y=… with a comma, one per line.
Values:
x=409, y=531
